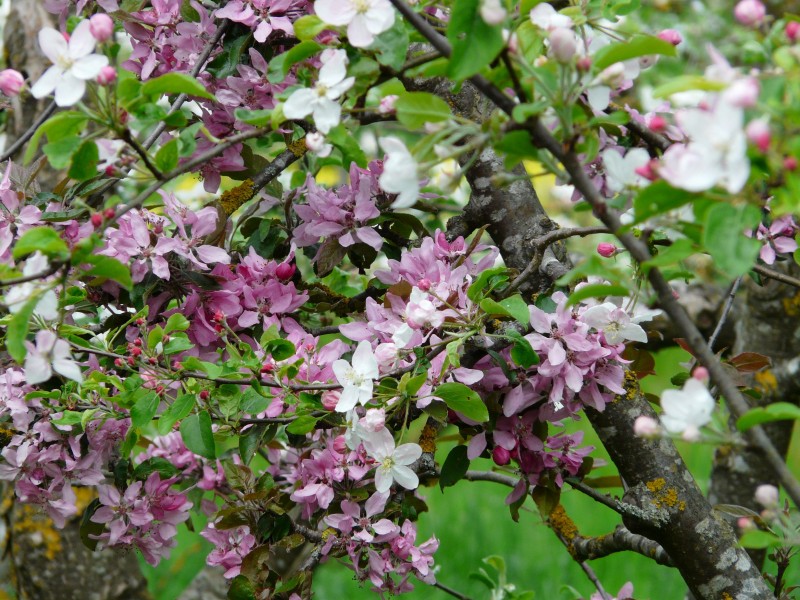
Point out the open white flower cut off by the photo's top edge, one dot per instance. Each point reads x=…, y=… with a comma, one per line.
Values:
x=364, y=18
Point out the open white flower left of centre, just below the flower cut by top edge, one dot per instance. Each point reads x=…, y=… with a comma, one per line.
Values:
x=319, y=101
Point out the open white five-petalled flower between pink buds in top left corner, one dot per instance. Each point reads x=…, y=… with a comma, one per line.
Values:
x=73, y=64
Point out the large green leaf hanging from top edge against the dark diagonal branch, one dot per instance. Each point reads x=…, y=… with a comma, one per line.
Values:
x=475, y=43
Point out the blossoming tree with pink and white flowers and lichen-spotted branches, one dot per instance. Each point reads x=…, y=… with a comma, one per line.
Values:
x=369, y=298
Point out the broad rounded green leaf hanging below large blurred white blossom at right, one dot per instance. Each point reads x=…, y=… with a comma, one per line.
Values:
x=724, y=238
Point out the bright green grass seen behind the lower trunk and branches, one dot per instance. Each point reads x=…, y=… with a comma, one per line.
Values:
x=472, y=522
